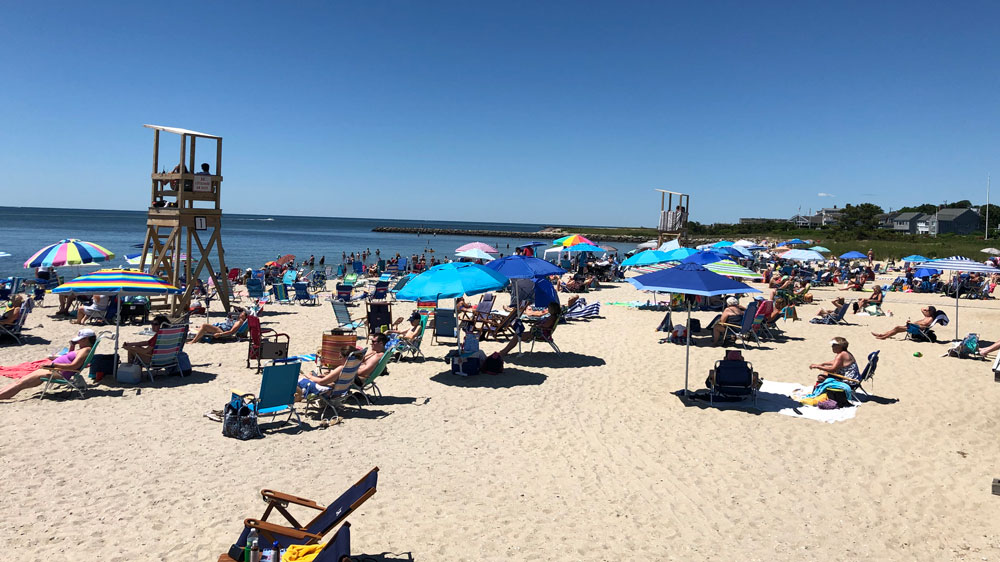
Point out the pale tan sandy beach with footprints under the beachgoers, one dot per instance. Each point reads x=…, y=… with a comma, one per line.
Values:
x=589, y=455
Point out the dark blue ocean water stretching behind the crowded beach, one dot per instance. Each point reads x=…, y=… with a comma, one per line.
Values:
x=248, y=240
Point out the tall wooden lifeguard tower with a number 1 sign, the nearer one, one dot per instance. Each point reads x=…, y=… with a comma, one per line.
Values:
x=184, y=222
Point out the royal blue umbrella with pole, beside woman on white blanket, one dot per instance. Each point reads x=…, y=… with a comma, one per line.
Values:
x=689, y=279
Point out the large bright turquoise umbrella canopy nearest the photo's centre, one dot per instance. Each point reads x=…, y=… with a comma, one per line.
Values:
x=452, y=280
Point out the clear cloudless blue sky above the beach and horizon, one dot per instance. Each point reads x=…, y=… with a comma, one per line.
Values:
x=551, y=112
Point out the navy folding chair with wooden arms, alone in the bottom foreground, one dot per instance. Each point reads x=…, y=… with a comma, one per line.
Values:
x=292, y=532
